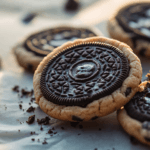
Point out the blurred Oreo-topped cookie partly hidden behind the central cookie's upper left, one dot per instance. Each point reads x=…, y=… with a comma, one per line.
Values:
x=34, y=48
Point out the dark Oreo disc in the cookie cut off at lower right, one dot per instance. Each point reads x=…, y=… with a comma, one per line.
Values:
x=139, y=106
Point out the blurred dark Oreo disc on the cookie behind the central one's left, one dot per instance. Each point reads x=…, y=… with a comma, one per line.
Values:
x=44, y=42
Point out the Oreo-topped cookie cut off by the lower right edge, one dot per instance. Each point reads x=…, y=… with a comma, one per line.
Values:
x=135, y=116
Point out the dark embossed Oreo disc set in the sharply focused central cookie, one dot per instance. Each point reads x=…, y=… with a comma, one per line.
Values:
x=84, y=73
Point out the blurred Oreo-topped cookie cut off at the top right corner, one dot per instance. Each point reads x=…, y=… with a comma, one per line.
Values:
x=132, y=25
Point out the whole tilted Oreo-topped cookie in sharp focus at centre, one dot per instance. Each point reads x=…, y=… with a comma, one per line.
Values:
x=86, y=79
